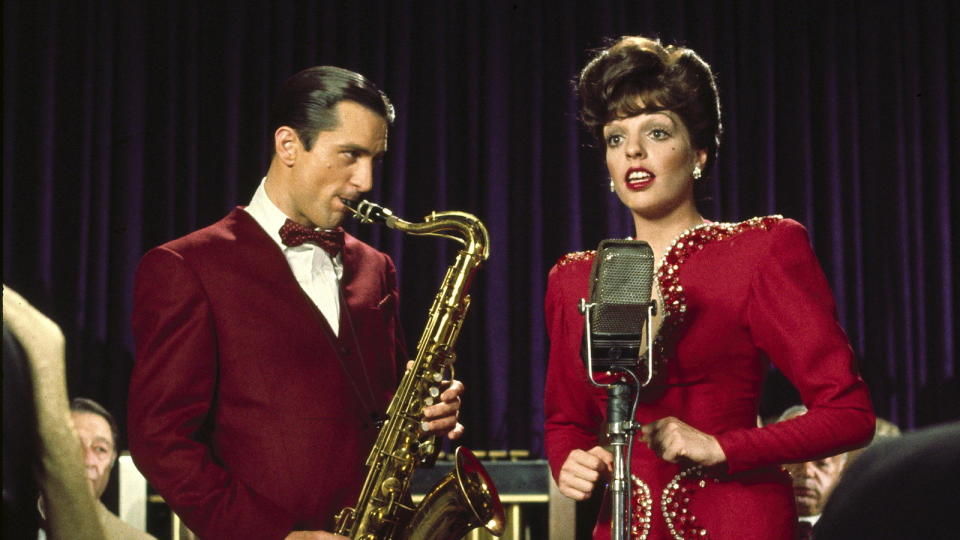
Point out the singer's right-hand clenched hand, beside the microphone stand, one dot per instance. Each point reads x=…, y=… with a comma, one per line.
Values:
x=675, y=441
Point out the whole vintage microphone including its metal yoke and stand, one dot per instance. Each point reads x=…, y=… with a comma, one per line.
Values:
x=621, y=281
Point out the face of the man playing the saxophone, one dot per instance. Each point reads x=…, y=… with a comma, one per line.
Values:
x=339, y=166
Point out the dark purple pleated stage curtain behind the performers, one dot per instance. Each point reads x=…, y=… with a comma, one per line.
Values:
x=127, y=124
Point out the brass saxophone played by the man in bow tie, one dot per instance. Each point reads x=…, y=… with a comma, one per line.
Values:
x=466, y=498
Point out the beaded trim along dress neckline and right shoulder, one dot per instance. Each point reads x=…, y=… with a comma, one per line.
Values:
x=682, y=247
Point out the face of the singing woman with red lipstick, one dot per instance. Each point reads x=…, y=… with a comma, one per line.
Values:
x=651, y=162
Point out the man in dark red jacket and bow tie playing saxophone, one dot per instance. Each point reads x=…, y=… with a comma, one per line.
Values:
x=263, y=363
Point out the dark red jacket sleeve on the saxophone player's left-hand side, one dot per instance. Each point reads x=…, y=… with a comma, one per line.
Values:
x=171, y=395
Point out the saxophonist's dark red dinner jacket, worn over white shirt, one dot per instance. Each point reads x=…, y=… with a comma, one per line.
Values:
x=246, y=412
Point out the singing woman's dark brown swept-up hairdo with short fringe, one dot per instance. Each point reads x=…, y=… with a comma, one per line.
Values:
x=669, y=78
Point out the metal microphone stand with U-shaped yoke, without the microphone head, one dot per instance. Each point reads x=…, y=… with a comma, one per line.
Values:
x=620, y=424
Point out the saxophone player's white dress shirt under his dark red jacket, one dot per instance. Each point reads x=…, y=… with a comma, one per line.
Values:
x=316, y=271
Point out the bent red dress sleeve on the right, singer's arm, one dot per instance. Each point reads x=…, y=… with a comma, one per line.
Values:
x=791, y=316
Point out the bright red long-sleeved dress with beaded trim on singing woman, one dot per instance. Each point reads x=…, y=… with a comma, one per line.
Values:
x=736, y=296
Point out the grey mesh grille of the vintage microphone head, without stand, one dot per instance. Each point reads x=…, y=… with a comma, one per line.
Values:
x=621, y=283
